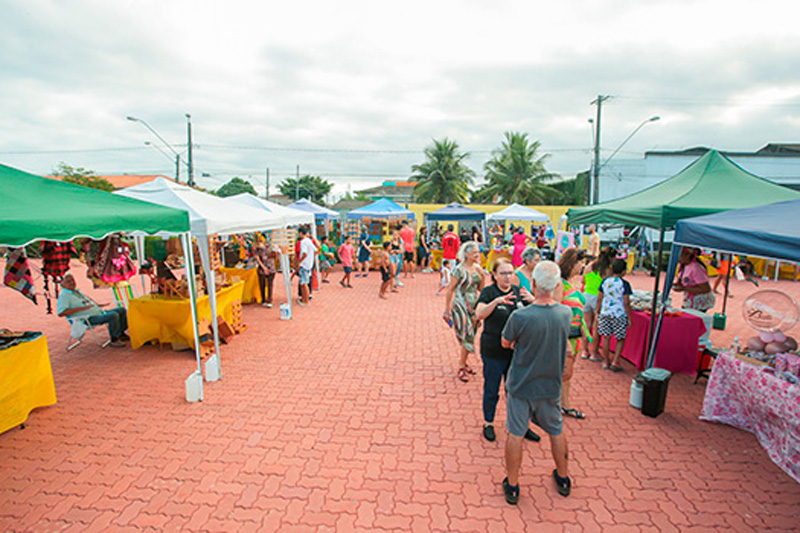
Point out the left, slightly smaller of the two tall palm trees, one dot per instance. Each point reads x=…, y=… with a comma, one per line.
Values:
x=443, y=177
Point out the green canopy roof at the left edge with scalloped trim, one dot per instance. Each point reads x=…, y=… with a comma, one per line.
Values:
x=37, y=208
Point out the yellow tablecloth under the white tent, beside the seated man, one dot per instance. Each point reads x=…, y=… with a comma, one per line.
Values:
x=168, y=320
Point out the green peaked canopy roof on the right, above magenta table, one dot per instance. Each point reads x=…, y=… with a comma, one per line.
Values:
x=710, y=184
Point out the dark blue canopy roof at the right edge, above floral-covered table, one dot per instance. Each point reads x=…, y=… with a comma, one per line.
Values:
x=766, y=231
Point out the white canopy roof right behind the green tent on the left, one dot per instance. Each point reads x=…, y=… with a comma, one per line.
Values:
x=208, y=214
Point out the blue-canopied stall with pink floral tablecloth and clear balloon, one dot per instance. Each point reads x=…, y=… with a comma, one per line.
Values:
x=758, y=391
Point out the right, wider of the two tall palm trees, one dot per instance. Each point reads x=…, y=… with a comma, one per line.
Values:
x=516, y=173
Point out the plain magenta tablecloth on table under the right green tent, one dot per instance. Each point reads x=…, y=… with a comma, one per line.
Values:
x=677, y=344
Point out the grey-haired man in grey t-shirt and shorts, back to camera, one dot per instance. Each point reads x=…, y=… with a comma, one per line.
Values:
x=538, y=334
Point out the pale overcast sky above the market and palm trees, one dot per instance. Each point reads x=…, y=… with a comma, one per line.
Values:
x=355, y=90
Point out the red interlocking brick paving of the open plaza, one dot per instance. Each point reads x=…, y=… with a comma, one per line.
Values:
x=350, y=417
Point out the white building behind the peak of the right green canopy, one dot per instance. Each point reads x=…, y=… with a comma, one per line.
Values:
x=779, y=163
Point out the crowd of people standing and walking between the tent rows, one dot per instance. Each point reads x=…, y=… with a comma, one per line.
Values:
x=533, y=316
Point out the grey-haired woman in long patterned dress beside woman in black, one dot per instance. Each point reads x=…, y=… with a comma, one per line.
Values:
x=462, y=298
